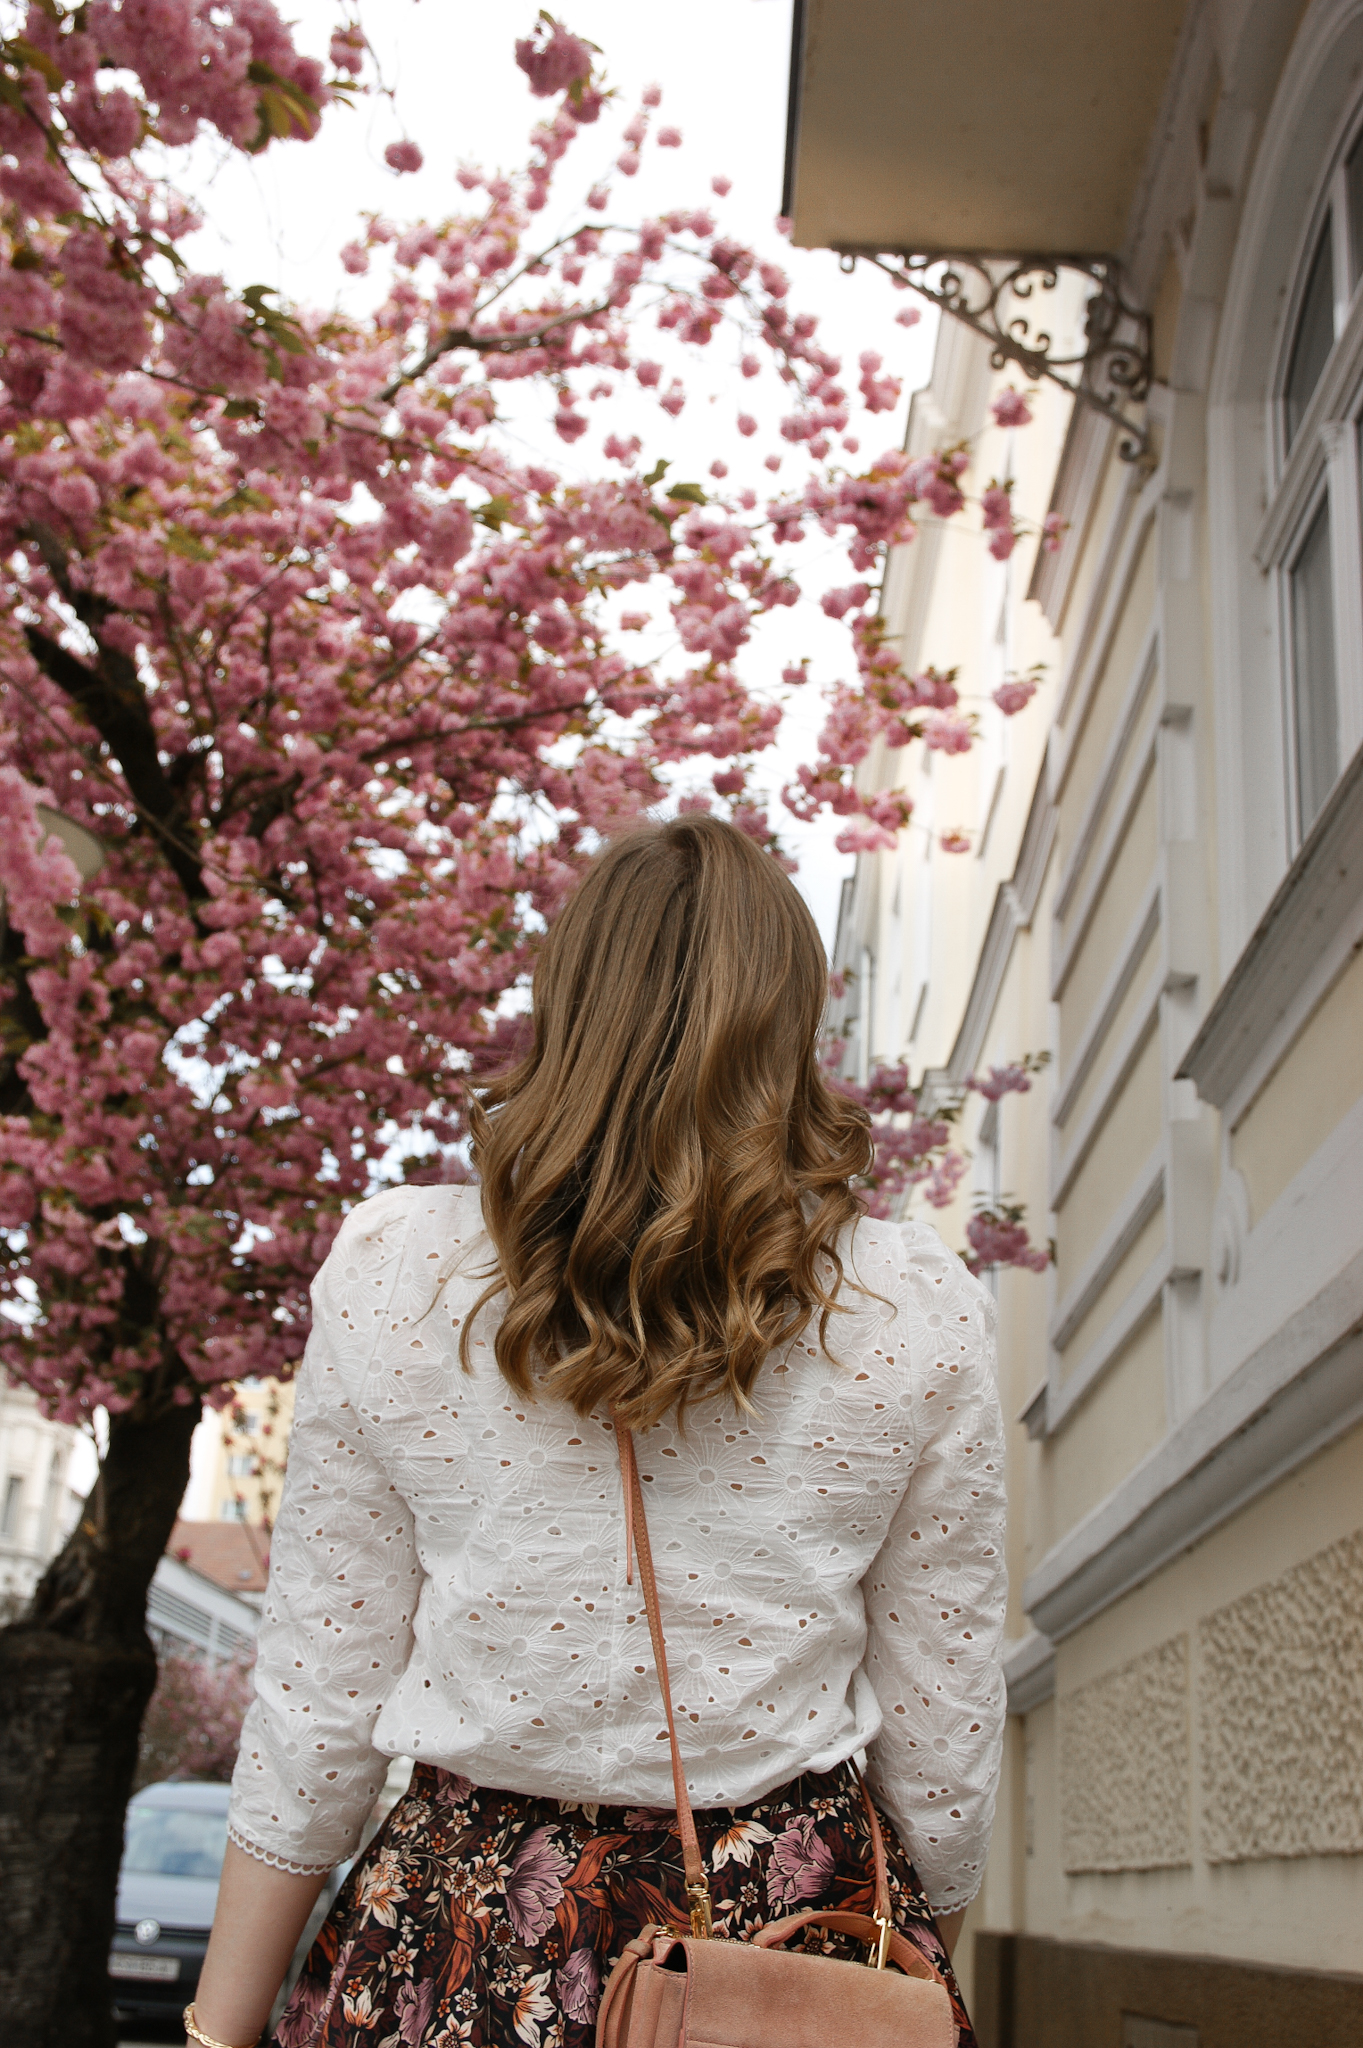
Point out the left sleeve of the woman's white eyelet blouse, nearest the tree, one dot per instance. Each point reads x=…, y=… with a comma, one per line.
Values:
x=337, y=1625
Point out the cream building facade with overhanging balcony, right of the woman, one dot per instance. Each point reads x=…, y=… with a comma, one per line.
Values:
x=1163, y=892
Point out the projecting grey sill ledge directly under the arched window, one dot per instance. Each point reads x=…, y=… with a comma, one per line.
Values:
x=1315, y=906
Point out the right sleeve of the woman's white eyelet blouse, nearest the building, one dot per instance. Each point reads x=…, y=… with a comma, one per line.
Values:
x=936, y=1592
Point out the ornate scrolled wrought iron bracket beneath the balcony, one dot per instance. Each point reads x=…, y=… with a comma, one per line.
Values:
x=992, y=296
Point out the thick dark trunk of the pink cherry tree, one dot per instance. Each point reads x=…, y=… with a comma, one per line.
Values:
x=77, y=1674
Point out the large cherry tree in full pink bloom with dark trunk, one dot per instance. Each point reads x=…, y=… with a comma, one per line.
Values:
x=345, y=685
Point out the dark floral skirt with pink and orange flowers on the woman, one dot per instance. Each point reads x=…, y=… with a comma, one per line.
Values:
x=494, y=1920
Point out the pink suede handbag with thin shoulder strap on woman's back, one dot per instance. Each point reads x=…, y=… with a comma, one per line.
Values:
x=674, y=1992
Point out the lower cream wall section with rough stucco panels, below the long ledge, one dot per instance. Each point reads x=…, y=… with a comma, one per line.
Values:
x=1292, y=1553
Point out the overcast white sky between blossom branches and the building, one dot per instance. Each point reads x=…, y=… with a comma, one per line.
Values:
x=723, y=69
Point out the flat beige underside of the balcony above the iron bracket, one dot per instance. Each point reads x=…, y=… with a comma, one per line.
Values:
x=985, y=126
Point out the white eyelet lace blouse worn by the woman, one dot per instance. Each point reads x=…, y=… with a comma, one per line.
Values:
x=447, y=1576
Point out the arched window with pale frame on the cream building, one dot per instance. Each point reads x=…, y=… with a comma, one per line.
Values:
x=1311, y=536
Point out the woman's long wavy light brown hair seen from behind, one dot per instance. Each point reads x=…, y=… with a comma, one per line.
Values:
x=668, y=1170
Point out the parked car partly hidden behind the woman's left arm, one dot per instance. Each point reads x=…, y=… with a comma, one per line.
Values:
x=173, y=1859
